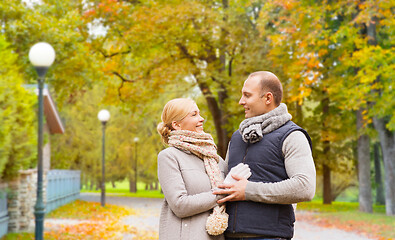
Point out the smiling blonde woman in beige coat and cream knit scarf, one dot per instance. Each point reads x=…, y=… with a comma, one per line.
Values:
x=187, y=170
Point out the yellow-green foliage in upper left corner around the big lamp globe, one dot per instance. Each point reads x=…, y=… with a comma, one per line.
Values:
x=60, y=24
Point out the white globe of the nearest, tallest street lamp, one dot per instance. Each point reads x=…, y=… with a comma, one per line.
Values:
x=42, y=54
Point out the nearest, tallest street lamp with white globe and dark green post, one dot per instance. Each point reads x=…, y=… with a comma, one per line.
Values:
x=41, y=56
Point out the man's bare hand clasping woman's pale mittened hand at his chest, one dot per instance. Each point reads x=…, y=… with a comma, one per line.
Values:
x=234, y=184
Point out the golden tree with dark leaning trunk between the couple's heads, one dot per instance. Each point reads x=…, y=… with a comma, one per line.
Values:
x=212, y=45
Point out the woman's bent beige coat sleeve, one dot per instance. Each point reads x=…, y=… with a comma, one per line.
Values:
x=173, y=186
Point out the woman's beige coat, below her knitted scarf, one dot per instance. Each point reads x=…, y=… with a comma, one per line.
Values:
x=188, y=198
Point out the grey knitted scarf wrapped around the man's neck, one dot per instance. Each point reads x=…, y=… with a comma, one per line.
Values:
x=253, y=129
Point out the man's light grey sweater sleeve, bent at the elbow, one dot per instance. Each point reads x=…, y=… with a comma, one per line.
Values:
x=299, y=165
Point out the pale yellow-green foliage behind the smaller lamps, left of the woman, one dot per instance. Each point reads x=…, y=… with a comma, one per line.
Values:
x=80, y=146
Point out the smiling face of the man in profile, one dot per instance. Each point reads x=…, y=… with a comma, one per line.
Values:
x=251, y=98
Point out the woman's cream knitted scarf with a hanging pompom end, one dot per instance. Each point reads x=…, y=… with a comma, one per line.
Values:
x=202, y=145
